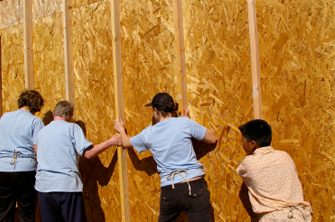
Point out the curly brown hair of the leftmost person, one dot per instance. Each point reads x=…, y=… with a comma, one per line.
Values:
x=32, y=99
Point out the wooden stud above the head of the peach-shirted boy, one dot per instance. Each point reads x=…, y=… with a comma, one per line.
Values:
x=256, y=83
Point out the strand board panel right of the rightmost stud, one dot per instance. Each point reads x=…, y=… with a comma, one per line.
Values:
x=296, y=40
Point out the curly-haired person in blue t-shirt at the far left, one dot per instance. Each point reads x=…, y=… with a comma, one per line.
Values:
x=18, y=136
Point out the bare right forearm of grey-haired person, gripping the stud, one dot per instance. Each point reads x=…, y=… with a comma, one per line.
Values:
x=95, y=150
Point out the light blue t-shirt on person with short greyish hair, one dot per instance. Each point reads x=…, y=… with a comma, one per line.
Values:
x=57, y=144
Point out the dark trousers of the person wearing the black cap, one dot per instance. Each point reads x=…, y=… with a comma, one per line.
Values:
x=197, y=205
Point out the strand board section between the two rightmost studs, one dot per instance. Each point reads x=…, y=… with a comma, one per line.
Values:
x=220, y=93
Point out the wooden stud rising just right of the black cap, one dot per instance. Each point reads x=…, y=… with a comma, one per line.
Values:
x=180, y=52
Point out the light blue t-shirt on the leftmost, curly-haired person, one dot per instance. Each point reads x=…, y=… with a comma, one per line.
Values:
x=18, y=132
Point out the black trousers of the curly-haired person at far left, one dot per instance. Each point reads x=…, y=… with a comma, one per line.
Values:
x=17, y=187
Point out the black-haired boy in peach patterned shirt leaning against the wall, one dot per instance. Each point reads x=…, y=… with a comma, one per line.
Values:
x=274, y=189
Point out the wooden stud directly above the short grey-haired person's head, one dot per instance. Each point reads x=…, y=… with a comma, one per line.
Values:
x=68, y=51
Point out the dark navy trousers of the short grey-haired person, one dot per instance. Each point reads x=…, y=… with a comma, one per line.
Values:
x=62, y=206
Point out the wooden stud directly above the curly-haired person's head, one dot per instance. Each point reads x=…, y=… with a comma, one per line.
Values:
x=28, y=44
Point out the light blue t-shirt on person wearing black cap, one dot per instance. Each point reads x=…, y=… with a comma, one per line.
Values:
x=170, y=144
